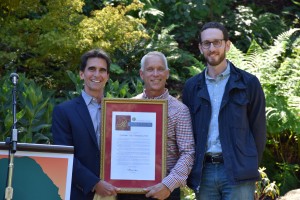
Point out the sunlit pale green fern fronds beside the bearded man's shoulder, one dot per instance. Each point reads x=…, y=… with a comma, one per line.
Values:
x=283, y=84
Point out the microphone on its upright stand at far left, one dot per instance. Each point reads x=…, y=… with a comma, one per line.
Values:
x=13, y=140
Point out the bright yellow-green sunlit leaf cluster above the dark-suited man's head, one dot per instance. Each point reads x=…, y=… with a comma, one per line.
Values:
x=111, y=29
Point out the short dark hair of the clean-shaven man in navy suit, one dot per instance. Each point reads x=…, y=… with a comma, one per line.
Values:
x=94, y=53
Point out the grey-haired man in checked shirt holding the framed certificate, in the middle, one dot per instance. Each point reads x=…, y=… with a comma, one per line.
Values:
x=180, y=142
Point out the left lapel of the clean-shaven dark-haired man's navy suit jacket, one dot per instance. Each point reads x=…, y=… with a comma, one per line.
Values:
x=86, y=118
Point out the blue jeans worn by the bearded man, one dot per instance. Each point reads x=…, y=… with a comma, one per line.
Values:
x=215, y=185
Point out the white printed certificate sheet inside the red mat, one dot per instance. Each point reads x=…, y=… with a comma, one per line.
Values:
x=133, y=146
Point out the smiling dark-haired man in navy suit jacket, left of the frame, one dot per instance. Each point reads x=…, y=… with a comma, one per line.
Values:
x=77, y=123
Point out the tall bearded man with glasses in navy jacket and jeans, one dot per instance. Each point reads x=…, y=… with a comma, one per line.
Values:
x=227, y=107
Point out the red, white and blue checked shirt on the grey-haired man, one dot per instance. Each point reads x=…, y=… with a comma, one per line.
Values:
x=180, y=141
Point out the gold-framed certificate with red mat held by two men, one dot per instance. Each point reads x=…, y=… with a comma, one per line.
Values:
x=133, y=143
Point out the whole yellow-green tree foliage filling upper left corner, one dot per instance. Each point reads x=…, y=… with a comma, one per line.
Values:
x=47, y=37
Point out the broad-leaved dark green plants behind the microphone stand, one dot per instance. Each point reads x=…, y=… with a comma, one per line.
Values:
x=34, y=110
